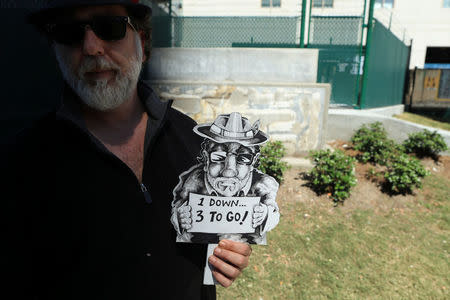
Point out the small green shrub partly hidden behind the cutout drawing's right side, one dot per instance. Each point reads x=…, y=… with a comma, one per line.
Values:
x=270, y=161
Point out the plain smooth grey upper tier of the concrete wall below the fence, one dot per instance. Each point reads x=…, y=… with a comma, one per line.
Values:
x=265, y=65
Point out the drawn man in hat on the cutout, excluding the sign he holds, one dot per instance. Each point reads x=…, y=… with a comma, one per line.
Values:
x=228, y=167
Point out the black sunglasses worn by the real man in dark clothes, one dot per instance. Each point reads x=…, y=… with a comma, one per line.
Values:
x=108, y=28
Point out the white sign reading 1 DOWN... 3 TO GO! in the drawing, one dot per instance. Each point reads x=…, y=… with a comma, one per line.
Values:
x=214, y=214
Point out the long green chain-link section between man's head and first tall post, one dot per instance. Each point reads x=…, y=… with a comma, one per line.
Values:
x=211, y=32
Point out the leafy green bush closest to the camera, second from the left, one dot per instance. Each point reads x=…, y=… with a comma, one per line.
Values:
x=333, y=173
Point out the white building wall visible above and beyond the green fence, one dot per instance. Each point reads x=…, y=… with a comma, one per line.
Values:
x=426, y=22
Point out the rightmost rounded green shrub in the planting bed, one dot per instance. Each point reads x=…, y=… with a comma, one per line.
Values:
x=404, y=173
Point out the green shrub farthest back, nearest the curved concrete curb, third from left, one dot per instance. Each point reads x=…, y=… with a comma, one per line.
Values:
x=374, y=144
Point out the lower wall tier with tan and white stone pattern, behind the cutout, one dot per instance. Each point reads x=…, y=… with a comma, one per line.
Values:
x=295, y=114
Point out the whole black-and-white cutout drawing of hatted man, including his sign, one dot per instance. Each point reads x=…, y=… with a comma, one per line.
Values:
x=225, y=196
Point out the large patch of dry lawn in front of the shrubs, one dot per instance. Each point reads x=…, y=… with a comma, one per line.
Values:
x=337, y=254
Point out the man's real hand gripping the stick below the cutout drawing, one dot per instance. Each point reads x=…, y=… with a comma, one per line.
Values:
x=228, y=260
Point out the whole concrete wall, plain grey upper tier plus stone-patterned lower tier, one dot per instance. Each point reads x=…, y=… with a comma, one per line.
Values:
x=275, y=86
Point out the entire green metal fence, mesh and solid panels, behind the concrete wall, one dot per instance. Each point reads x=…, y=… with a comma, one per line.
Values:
x=338, y=38
